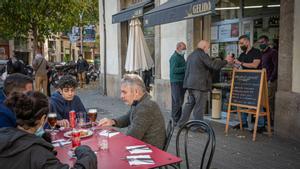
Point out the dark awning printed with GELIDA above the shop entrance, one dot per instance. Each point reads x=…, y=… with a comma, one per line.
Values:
x=177, y=10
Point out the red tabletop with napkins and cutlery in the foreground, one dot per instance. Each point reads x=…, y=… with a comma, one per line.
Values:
x=114, y=157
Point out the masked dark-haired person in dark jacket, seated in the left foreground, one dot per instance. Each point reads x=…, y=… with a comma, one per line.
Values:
x=22, y=147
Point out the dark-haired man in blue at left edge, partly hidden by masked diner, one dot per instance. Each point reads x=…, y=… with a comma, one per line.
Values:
x=16, y=82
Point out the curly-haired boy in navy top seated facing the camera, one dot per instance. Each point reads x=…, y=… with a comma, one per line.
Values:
x=64, y=100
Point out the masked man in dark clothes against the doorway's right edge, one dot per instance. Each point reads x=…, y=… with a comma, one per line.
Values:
x=270, y=63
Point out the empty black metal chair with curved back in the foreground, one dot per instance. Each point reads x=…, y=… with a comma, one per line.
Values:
x=210, y=143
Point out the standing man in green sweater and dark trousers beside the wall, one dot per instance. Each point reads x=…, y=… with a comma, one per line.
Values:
x=177, y=71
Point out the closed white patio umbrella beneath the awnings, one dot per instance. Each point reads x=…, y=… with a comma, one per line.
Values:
x=138, y=56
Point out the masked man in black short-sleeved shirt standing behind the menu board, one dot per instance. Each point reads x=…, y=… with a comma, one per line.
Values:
x=250, y=58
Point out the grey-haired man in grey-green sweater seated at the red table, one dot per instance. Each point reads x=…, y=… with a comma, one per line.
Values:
x=144, y=119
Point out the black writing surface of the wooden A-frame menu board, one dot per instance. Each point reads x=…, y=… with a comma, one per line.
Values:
x=246, y=88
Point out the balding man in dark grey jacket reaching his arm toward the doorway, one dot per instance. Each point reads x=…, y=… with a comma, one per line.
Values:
x=198, y=80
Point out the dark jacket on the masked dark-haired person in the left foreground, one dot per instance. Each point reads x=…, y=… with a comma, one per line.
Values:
x=19, y=149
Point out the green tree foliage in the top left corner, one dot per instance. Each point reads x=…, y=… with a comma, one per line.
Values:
x=41, y=18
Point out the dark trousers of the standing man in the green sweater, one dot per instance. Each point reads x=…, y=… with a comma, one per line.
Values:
x=177, y=92
